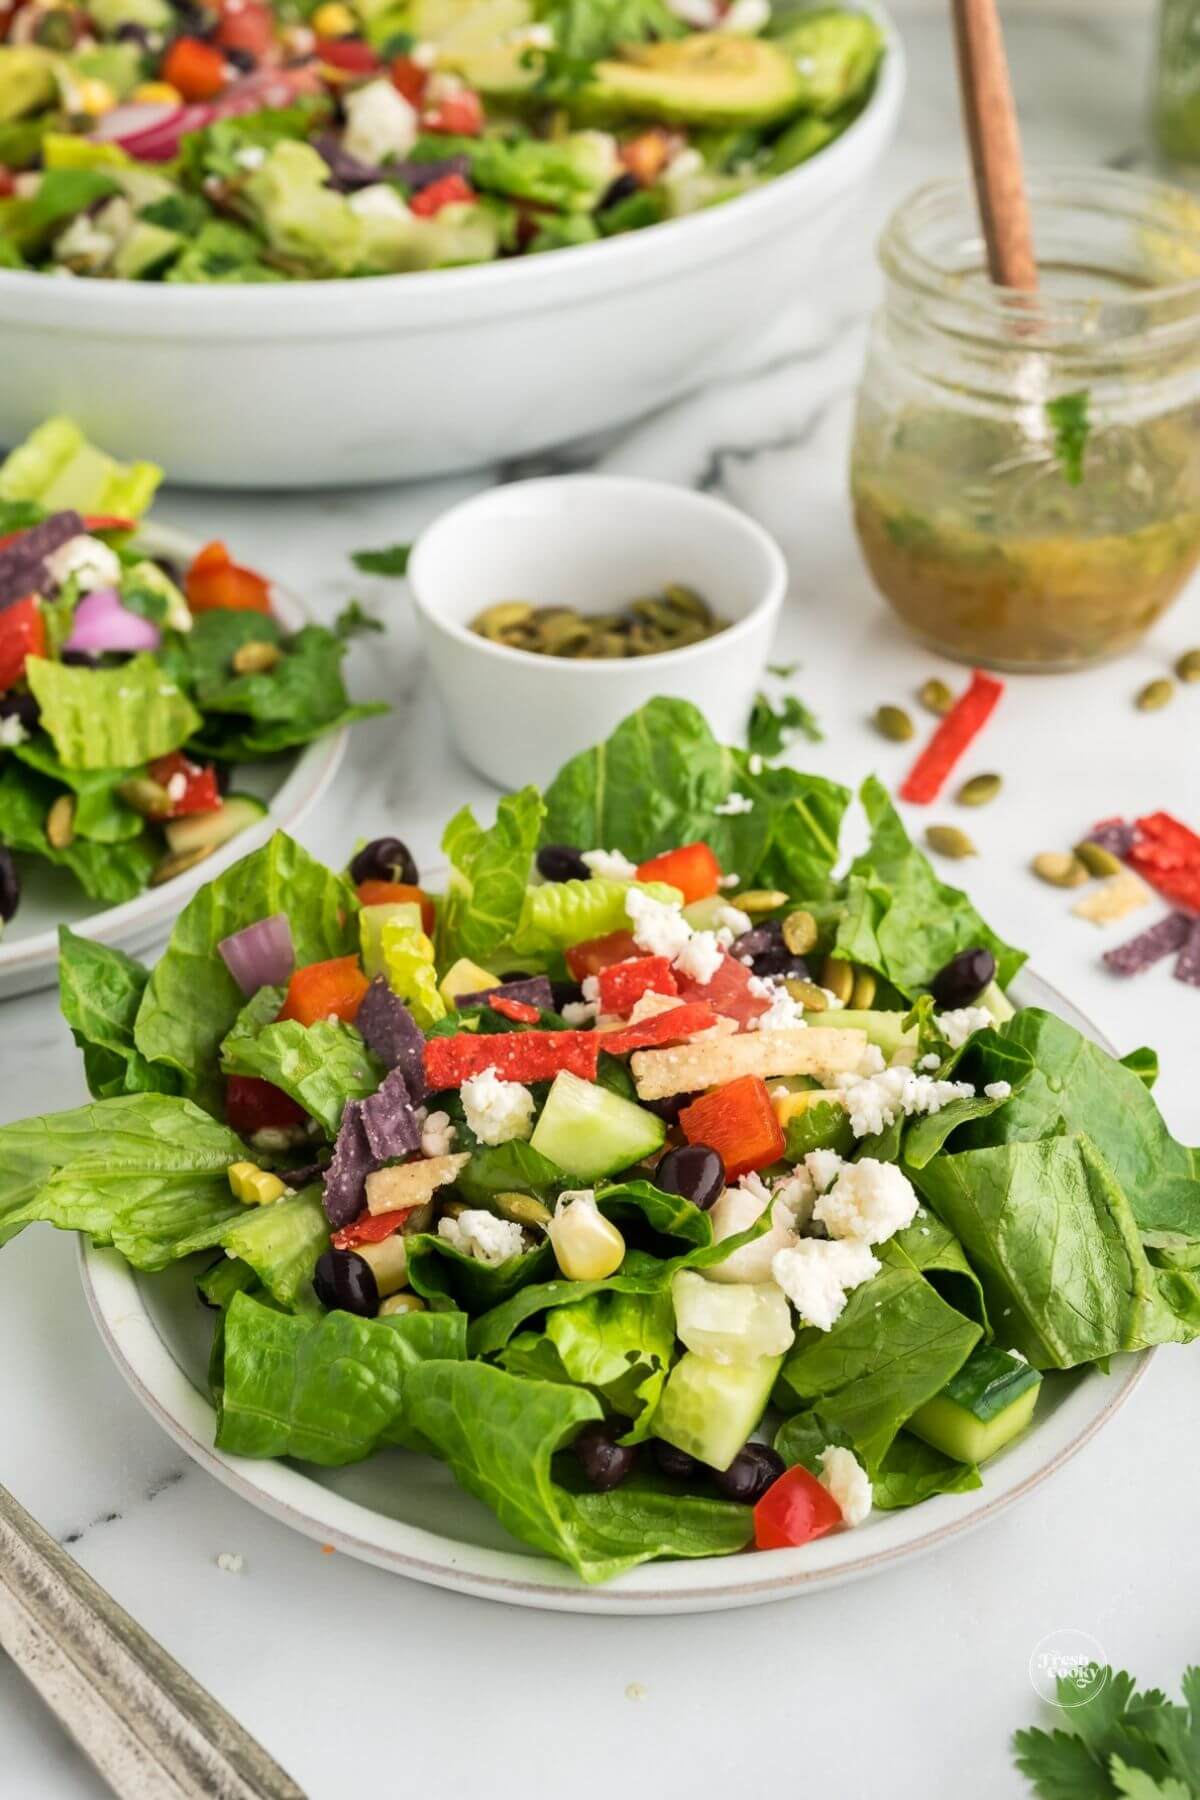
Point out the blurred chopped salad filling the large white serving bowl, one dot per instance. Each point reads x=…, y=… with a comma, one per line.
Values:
x=244, y=143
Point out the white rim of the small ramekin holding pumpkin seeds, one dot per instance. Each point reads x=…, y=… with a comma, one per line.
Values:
x=667, y=494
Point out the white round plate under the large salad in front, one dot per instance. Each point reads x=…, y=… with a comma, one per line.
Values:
x=407, y=1515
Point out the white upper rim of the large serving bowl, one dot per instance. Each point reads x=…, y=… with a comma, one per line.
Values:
x=136, y=307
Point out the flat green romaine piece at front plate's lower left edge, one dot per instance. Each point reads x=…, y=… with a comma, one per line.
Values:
x=328, y=1390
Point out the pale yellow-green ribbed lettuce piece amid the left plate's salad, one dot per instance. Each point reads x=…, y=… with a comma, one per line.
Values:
x=111, y=719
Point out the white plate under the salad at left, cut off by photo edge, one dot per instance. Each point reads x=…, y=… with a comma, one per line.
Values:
x=51, y=897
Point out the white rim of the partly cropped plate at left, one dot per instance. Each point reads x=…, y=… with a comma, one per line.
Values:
x=314, y=771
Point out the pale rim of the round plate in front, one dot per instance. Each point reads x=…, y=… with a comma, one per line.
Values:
x=305, y=1506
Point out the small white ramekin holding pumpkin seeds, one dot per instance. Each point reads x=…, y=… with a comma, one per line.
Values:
x=591, y=543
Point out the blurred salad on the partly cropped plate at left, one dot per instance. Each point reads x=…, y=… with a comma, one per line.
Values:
x=132, y=683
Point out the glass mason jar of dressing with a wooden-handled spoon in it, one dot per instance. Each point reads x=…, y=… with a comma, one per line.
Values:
x=1026, y=469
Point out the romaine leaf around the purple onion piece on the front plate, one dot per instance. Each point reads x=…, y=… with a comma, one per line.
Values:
x=193, y=1000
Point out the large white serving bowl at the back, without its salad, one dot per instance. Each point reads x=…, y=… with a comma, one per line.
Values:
x=341, y=382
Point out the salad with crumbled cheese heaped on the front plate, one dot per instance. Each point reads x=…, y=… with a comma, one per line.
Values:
x=679, y=1189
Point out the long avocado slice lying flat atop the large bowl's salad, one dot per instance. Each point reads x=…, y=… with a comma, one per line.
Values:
x=708, y=78
